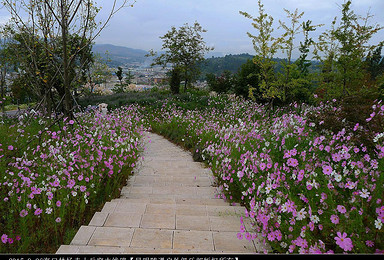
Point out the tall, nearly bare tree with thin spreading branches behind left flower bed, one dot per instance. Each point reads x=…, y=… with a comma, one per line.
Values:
x=55, y=22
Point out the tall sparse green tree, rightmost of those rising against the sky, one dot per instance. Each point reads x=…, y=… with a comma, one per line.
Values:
x=351, y=38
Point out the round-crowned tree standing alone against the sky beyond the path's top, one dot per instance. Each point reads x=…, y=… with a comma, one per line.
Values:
x=184, y=50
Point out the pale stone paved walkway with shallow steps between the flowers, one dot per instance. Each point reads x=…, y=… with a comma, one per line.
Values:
x=168, y=206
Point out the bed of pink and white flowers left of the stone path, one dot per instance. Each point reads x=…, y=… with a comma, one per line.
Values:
x=56, y=179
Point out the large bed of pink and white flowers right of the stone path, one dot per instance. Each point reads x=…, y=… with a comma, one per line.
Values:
x=305, y=191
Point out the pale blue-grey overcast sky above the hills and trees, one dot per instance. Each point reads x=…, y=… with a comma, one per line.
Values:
x=141, y=26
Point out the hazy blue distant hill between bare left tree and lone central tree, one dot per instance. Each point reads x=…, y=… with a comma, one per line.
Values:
x=119, y=55
